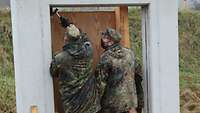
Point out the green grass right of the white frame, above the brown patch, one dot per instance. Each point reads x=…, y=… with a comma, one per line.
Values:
x=189, y=41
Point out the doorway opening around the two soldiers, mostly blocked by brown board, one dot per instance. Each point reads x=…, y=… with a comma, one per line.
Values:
x=131, y=21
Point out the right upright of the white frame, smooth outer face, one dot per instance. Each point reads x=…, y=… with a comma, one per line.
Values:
x=163, y=57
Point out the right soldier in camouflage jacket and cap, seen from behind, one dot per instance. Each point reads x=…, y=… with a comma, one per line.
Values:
x=115, y=73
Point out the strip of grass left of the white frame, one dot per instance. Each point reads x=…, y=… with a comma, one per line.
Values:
x=7, y=82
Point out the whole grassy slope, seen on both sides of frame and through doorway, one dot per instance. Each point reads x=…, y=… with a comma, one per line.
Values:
x=189, y=46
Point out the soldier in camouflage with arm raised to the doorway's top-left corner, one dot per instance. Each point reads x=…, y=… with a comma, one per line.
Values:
x=73, y=66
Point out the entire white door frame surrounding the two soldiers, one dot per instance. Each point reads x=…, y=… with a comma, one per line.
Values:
x=32, y=52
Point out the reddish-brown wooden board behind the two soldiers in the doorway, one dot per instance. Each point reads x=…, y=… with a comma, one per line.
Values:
x=93, y=23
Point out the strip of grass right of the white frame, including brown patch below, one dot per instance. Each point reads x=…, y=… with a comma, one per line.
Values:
x=189, y=57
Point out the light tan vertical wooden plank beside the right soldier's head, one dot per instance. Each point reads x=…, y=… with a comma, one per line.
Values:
x=122, y=24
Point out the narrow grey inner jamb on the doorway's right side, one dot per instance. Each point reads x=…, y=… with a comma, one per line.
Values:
x=146, y=60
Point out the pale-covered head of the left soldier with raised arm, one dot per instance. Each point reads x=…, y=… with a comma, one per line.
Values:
x=71, y=33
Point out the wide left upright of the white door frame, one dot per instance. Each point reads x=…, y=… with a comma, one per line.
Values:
x=32, y=55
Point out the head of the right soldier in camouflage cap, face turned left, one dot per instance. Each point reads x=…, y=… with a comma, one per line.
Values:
x=110, y=37
